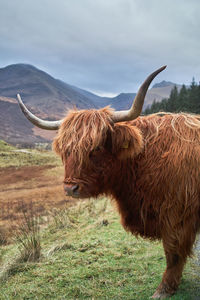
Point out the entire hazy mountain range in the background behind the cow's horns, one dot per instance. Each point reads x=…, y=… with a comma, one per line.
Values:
x=50, y=98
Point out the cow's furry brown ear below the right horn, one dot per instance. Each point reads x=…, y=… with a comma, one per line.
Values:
x=127, y=141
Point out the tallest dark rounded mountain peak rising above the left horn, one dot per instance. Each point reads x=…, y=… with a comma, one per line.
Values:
x=40, y=90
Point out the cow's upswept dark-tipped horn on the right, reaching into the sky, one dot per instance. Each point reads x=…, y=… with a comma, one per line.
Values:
x=136, y=108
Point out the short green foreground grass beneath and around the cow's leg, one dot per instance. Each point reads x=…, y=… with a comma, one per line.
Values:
x=86, y=254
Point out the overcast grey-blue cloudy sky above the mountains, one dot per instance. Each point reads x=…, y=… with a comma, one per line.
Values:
x=105, y=46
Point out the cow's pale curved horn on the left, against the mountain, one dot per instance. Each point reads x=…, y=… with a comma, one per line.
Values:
x=49, y=125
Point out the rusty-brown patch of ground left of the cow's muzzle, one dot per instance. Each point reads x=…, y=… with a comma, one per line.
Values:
x=38, y=188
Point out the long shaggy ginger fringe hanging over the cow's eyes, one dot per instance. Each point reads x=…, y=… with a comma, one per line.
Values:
x=82, y=132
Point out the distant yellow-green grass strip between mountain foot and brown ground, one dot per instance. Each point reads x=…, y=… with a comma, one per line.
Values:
x=10, y=156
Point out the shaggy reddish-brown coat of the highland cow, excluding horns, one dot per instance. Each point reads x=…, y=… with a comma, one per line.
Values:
x=150, y=166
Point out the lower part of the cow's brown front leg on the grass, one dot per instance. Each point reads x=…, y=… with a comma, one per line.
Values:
x=171, y=277
